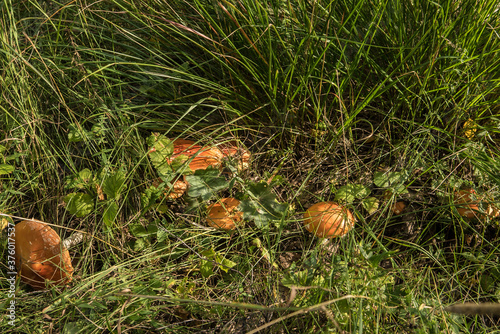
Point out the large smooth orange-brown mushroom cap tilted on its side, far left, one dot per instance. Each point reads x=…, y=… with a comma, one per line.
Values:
x=40, y=256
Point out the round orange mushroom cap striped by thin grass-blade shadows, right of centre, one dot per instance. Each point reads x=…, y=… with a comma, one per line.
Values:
x=328, y=220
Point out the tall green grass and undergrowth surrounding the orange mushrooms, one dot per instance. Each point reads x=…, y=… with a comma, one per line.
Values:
x=324, y=95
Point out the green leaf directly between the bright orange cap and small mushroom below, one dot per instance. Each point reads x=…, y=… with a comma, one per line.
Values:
x=205, y=183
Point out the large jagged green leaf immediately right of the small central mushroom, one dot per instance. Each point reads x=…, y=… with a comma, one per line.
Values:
x=262, y=207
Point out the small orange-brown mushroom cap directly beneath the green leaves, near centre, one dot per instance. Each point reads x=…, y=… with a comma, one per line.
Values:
x=224, y=214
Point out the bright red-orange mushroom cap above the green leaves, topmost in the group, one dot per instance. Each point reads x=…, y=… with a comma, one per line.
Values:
x=202, y=157
